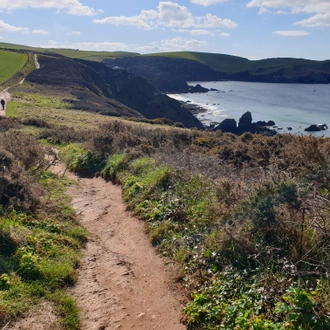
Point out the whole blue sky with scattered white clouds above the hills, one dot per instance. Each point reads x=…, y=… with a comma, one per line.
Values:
x=253, y=29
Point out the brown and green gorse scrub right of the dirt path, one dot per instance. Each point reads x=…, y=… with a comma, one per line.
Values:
x=246, y=218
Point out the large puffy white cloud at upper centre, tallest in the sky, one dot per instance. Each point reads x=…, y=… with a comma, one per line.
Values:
x=169, y=14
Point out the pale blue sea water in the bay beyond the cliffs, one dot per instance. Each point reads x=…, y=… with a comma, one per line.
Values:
x=292, y=107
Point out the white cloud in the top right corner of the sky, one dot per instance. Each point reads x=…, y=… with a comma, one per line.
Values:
x=321, y=9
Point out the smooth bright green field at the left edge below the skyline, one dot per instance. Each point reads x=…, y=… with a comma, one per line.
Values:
x=10, y=63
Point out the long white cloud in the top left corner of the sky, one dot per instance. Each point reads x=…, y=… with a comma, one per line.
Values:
x=73, y=7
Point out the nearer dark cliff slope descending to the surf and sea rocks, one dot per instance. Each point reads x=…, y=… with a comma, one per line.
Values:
x=112, y=92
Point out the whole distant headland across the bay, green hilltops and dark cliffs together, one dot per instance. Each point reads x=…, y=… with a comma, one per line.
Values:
x=169, y=72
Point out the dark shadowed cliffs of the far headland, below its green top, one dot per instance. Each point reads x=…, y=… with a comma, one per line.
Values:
x=171, y=74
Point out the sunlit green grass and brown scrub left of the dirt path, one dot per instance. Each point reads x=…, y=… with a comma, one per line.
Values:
x=40, y=239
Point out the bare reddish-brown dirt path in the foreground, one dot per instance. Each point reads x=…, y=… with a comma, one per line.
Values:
x=123, y=283
